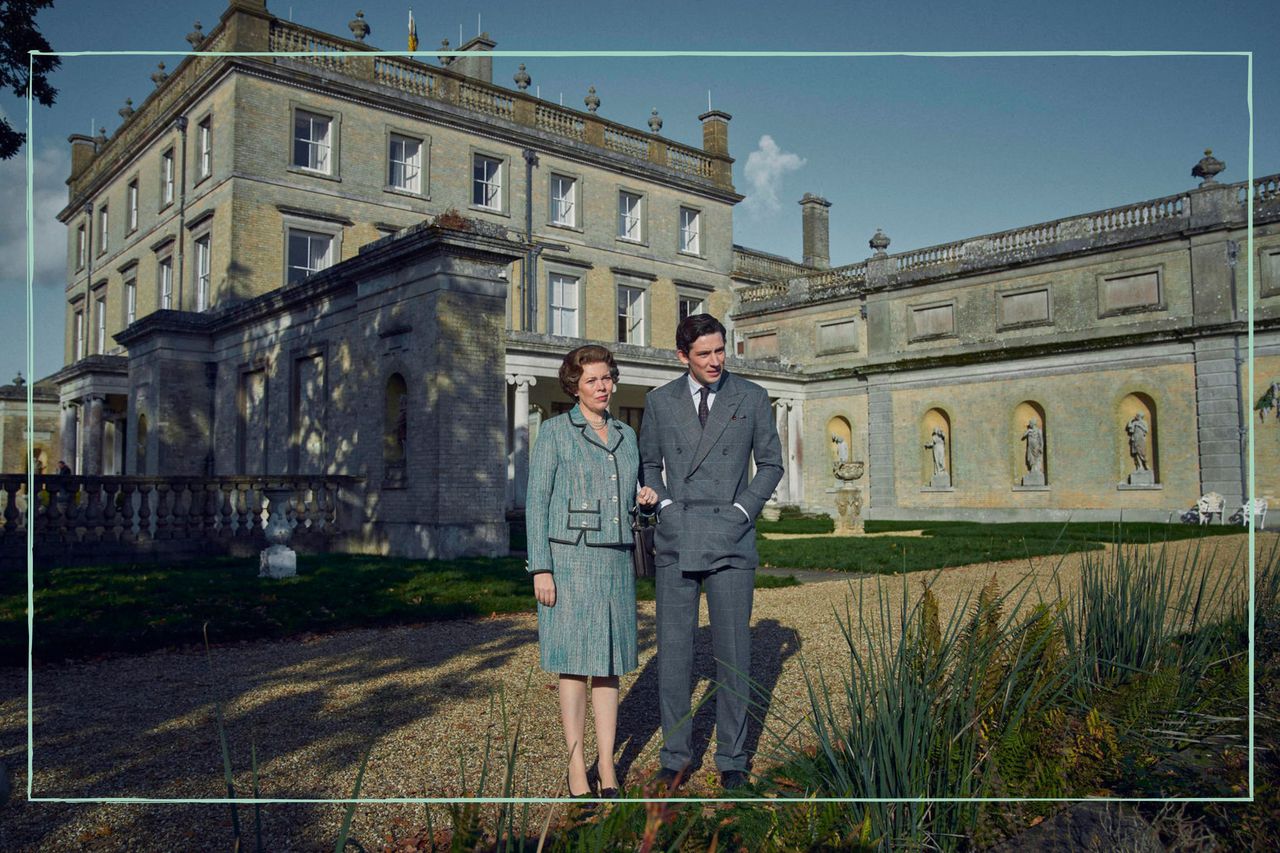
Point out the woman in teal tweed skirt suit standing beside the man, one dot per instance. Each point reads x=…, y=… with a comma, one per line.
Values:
x=582, y=483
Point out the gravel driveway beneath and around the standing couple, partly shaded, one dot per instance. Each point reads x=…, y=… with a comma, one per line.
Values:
x=424, y=696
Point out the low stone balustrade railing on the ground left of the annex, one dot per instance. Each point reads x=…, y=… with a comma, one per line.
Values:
x=141, y=510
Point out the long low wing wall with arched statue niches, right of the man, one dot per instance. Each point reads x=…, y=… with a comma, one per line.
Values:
x=1078, y=323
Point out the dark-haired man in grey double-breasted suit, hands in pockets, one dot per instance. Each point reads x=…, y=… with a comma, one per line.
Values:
x=702, y=431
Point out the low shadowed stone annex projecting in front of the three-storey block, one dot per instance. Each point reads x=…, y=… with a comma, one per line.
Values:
x=308, y=380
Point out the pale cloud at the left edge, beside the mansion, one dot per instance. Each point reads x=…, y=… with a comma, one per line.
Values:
x=49, y=197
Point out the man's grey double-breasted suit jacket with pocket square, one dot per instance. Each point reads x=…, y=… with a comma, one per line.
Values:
x=708, y=472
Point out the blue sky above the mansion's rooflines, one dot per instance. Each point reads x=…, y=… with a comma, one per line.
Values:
x=929, y=149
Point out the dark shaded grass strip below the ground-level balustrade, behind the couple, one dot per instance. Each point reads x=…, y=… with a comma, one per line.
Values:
x=141, y=608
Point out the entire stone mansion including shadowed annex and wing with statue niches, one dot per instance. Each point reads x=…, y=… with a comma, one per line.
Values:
x=372, y=267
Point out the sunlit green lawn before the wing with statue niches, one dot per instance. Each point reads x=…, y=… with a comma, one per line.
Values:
x=959, y=544
